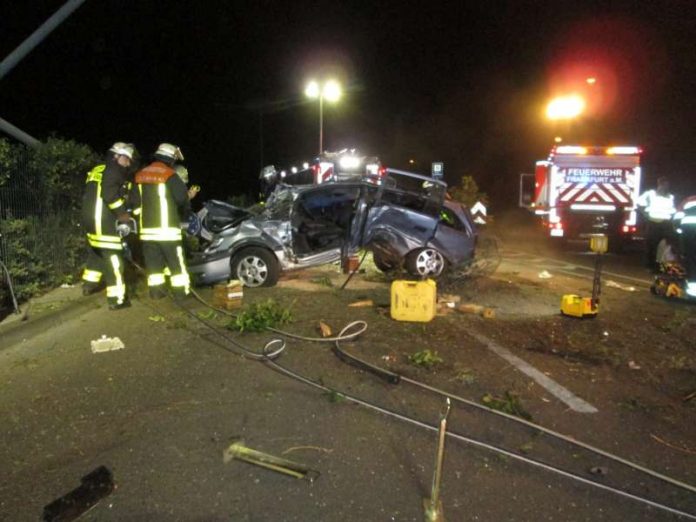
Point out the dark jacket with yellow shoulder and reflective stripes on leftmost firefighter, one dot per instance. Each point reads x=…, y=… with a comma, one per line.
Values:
x=103, y=200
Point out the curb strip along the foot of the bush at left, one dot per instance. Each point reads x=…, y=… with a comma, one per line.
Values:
x=19, y=331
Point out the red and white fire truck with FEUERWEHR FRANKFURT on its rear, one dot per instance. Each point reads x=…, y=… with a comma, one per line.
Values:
x=582, y=190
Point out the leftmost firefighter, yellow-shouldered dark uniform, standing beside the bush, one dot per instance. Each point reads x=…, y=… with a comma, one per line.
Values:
x=104, y=218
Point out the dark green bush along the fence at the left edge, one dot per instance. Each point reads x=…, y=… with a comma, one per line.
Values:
x=40, y=198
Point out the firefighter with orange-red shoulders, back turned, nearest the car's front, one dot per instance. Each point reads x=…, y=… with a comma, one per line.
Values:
x=161, y=203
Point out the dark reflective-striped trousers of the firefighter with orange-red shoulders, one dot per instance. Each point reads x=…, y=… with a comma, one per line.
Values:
x=166, y=258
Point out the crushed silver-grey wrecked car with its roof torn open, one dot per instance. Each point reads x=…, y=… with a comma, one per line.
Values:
x=404, y=222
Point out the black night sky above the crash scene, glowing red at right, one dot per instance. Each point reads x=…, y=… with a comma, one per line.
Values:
x=461, y=82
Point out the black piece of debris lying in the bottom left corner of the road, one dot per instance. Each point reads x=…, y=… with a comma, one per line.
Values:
x=95, y=486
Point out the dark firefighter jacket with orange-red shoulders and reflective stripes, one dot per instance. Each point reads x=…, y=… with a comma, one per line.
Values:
x=160, y=203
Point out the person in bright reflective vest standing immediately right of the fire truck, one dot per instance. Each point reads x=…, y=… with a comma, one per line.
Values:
x=657, y=208
